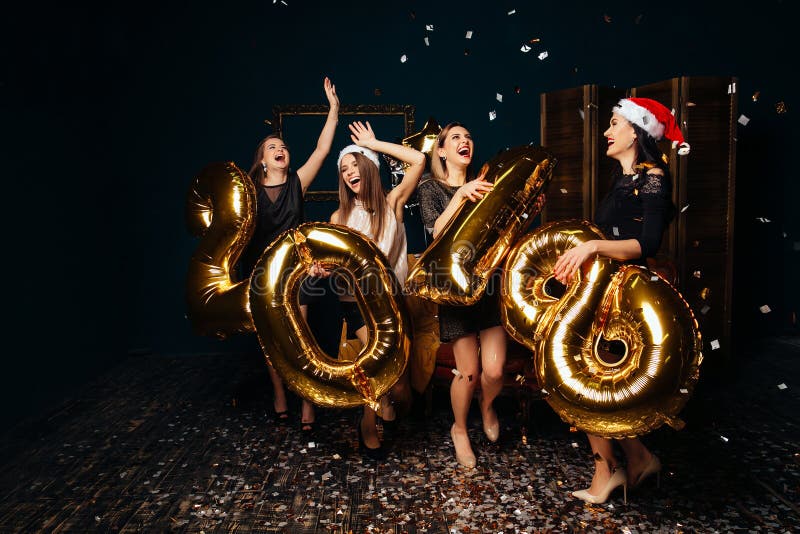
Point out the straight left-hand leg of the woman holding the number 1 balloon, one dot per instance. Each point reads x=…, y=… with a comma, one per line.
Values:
x=462, y=388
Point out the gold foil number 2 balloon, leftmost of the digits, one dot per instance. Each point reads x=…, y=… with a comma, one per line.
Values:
x=220, y=208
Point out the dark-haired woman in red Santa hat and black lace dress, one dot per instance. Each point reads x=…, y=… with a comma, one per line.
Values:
x=633, y=215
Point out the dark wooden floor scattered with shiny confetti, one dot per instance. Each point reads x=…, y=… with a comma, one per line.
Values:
x=190, y=444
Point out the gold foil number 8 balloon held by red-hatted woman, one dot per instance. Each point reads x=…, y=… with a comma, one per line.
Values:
x=601, y=390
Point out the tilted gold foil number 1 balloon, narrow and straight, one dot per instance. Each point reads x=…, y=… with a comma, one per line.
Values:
x=456, y=267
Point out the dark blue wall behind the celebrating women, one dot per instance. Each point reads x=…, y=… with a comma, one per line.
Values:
x=108, y=112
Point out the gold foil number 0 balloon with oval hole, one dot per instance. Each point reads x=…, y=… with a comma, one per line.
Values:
x=285, y=337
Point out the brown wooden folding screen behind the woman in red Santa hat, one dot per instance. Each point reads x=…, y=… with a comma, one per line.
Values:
x=700, y=239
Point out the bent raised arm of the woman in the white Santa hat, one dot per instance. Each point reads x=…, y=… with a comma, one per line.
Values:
x=362, y=135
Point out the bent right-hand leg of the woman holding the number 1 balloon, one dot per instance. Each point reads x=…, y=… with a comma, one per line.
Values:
x=493, y=359
